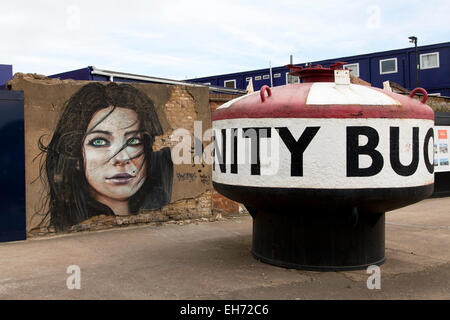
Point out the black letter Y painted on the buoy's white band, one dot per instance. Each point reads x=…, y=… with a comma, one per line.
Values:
x=296, y=148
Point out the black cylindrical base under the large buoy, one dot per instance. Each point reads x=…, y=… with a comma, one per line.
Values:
x=318, y=240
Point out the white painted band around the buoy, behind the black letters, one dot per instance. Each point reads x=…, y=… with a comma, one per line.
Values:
x=324, y=160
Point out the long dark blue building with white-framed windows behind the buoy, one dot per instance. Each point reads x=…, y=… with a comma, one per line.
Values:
x=394, y=65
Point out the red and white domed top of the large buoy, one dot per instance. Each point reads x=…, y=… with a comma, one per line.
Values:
x=323, y=96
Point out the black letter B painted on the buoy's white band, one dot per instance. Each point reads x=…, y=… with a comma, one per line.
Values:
x=354, y=150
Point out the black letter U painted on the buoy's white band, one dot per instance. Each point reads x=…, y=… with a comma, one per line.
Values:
x=394, y=141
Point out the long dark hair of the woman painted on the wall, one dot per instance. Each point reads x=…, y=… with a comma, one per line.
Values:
x=69, y=200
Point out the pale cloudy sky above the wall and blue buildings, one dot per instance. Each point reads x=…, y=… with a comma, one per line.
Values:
x=187, y=39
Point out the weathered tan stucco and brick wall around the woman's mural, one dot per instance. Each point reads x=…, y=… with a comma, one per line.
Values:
x=175, y=106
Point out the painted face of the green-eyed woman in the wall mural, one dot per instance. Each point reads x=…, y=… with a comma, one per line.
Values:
x=113, y=150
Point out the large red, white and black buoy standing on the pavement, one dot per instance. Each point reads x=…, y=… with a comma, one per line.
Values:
x=318, y=164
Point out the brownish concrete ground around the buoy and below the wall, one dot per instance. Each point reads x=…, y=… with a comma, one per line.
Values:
x=212, y=260
